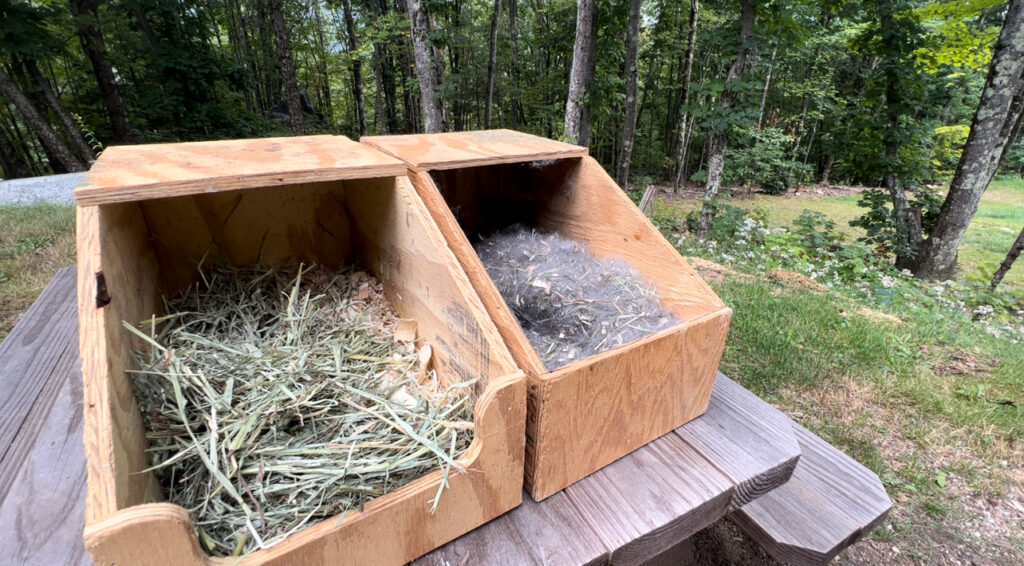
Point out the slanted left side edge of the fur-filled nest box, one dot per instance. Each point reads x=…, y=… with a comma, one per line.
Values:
x=516, y=340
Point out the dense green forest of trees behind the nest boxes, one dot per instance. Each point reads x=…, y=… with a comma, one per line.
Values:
x=769, y=95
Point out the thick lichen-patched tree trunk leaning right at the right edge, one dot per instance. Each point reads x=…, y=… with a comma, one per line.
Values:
x=993, y=132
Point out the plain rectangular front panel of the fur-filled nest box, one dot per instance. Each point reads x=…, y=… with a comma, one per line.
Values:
x=602, y=409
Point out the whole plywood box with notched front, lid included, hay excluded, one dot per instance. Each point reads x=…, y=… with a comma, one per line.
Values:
x=148, y=215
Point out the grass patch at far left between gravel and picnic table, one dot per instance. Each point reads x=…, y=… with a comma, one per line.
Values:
x=35, y=243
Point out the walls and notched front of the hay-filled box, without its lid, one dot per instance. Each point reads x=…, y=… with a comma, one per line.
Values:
x=147, y=247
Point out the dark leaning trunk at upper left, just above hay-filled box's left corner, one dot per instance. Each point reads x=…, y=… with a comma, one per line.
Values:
x=92, y=39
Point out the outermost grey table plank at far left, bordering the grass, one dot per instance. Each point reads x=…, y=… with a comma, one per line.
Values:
x=29, y=355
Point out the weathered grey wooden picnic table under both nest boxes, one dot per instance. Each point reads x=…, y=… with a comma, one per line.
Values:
x=801, y=499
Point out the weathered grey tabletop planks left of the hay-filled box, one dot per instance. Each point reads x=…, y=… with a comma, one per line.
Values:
x=42, y=474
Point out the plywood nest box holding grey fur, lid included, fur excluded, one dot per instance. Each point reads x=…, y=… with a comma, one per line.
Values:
x=590, y=413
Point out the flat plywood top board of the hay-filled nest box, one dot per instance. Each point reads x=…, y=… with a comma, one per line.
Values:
x=140, y=172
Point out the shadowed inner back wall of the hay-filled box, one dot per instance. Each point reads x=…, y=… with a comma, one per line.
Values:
x=277, y=227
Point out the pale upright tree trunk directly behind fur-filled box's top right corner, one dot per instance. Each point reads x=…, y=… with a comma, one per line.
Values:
x=577, y=117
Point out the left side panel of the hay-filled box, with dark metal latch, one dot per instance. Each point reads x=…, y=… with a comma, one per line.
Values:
x=112, y=243
